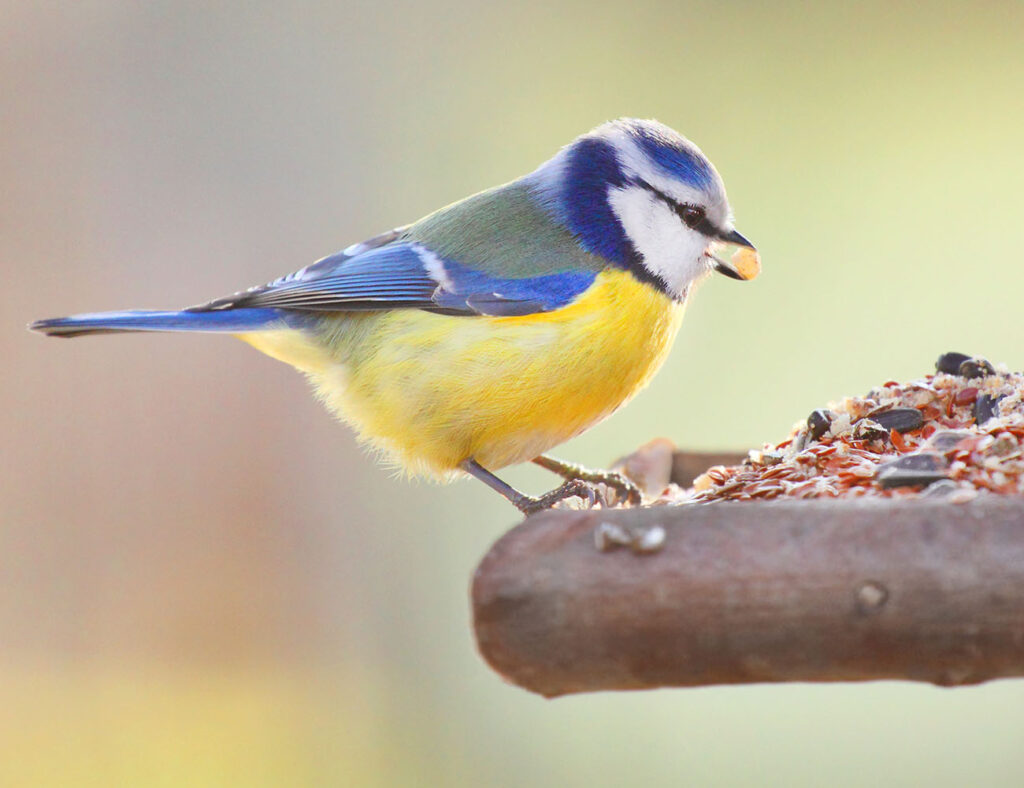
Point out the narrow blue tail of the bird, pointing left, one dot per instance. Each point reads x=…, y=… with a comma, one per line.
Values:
x=230, y=321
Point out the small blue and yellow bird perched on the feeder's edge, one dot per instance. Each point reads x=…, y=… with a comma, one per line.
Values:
x=501, y=326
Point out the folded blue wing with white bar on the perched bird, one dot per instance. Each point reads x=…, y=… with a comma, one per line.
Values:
x=399, y=274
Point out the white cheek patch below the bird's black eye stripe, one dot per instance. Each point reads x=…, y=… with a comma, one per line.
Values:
x=670, y=249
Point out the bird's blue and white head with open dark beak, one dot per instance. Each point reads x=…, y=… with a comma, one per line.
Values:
x=645, y=198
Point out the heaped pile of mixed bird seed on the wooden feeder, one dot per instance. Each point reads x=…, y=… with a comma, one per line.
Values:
x=952, y=435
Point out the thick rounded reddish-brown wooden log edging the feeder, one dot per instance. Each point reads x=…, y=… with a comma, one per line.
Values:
x=807, y=591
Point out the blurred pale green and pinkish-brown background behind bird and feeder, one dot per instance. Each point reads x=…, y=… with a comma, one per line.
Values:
x=203, y=582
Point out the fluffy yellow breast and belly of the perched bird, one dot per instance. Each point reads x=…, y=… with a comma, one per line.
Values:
x=433, y=390
